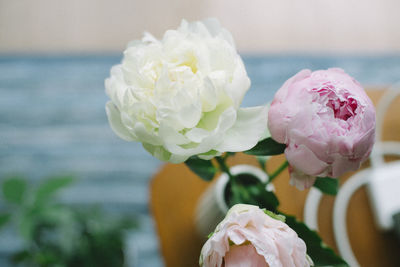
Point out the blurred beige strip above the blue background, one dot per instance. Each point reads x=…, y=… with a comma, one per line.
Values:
x=257, y=25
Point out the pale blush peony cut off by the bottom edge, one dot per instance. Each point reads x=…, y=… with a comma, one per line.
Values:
x=249, y=237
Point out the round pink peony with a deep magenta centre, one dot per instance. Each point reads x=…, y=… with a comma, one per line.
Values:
x=326, y=121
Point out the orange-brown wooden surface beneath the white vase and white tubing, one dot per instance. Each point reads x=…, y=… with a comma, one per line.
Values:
x=175, y=191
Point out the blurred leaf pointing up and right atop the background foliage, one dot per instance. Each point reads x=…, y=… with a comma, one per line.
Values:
x=50, y=187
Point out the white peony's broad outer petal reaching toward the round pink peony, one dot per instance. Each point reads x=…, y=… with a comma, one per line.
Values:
x=249, y=128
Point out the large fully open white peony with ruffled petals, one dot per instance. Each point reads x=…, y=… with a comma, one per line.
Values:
x=180, y=95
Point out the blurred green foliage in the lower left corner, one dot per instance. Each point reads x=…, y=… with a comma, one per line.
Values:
x=59, y=235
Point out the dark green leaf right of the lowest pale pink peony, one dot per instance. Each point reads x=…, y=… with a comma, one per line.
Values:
x=319, y=252
